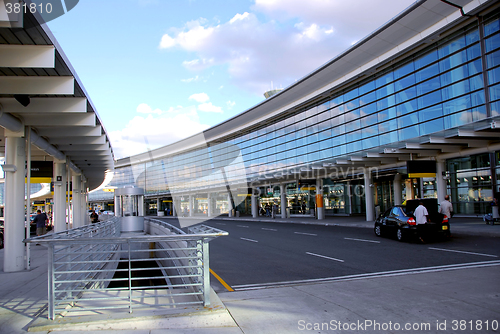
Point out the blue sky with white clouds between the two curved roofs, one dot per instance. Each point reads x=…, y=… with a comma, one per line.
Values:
x=158, y=71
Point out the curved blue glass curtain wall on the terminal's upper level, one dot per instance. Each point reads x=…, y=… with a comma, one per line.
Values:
x=440, y=88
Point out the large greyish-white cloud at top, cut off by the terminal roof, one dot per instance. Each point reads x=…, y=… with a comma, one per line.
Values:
x=292, y=40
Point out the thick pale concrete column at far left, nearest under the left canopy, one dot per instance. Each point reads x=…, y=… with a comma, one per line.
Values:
x=14, y=204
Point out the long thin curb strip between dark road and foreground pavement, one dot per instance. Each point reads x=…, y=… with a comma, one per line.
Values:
x=391, y=273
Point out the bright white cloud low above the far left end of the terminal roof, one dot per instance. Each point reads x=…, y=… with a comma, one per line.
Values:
x=152, y=131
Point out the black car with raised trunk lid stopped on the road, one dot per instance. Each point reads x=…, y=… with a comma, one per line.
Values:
x=399, y=221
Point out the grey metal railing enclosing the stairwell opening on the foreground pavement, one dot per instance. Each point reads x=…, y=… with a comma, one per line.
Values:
x=87, y=267
